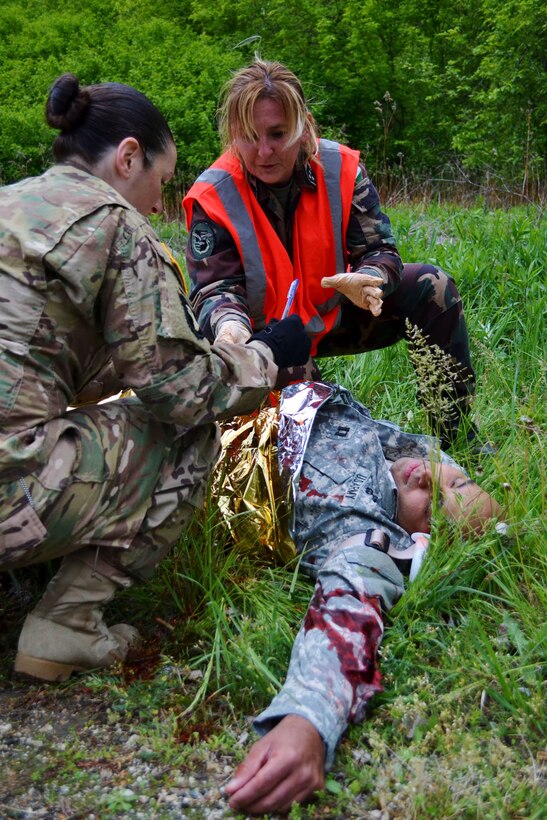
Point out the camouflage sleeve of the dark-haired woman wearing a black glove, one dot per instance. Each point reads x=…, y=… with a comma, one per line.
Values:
x=156, y=345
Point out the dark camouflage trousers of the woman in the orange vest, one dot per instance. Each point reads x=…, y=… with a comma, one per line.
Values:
x=429, y=299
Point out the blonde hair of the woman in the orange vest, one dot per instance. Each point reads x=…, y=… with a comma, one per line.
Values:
x=265, y=80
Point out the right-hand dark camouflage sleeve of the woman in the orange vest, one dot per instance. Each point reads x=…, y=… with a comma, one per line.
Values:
x=369, y=238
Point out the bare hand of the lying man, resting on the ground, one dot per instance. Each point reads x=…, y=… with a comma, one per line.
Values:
x=285, y=766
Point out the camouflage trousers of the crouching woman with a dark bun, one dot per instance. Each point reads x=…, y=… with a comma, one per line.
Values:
x=118, y=481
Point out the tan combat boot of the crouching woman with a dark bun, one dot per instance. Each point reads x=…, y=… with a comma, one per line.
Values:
x=65, y=632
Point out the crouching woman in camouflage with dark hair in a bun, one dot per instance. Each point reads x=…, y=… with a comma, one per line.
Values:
x=90, y=304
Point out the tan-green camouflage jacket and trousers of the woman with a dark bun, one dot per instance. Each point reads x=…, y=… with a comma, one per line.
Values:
x=90, y=303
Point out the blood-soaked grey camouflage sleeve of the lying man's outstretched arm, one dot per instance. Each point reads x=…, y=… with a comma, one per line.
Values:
x=333, y=671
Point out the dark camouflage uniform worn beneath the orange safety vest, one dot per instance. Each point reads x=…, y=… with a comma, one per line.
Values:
x=421, y=293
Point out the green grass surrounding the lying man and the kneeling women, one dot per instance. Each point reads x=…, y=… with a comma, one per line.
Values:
x=459, y=730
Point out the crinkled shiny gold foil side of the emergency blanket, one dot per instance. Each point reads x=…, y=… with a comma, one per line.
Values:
x=248, y=486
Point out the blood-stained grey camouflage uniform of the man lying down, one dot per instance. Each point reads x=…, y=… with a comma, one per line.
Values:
x=345, y=504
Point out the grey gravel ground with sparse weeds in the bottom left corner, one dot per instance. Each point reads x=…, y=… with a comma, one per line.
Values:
x=41, y=728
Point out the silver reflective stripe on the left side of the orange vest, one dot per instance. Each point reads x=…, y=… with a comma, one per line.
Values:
x=252, y=258
